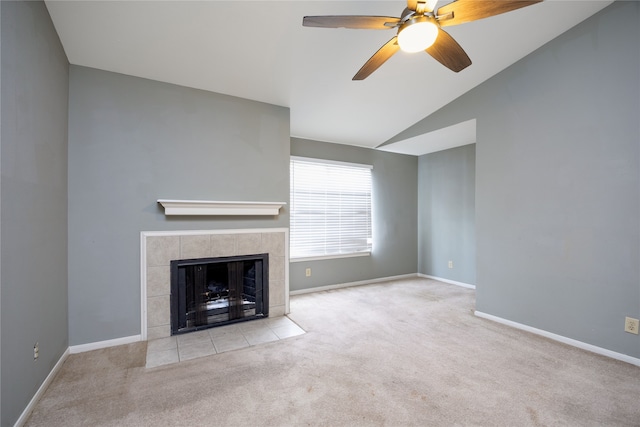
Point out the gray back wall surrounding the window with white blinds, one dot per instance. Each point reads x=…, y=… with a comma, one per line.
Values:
x=395, y=178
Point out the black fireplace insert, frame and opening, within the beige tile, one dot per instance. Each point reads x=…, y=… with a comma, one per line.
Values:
x=209, y=292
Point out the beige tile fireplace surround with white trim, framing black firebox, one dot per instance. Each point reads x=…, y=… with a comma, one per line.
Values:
x=158, y=248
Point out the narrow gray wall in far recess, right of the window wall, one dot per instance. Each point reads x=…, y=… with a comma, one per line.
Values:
x=446, y=214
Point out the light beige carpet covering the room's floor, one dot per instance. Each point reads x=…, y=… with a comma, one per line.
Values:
x=401, y=353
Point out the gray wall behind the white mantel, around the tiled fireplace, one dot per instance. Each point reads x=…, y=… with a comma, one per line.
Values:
x=133, y=141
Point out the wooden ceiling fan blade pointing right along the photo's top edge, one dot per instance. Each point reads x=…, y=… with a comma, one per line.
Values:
x=461, y=11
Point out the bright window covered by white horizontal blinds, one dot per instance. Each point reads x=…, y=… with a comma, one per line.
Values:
x=330, y=209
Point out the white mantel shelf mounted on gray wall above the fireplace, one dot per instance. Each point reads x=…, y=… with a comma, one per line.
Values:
x=205, y=207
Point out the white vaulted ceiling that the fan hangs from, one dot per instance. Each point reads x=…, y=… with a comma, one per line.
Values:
x=259, y=50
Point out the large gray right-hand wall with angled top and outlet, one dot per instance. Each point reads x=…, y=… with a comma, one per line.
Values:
x=558, y=182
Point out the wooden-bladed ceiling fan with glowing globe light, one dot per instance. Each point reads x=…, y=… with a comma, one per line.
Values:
x=420, y=28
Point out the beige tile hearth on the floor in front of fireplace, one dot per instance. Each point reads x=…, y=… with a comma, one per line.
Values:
x=178, y=348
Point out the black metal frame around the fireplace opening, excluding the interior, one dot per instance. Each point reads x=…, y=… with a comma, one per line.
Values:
x=178, y=296
